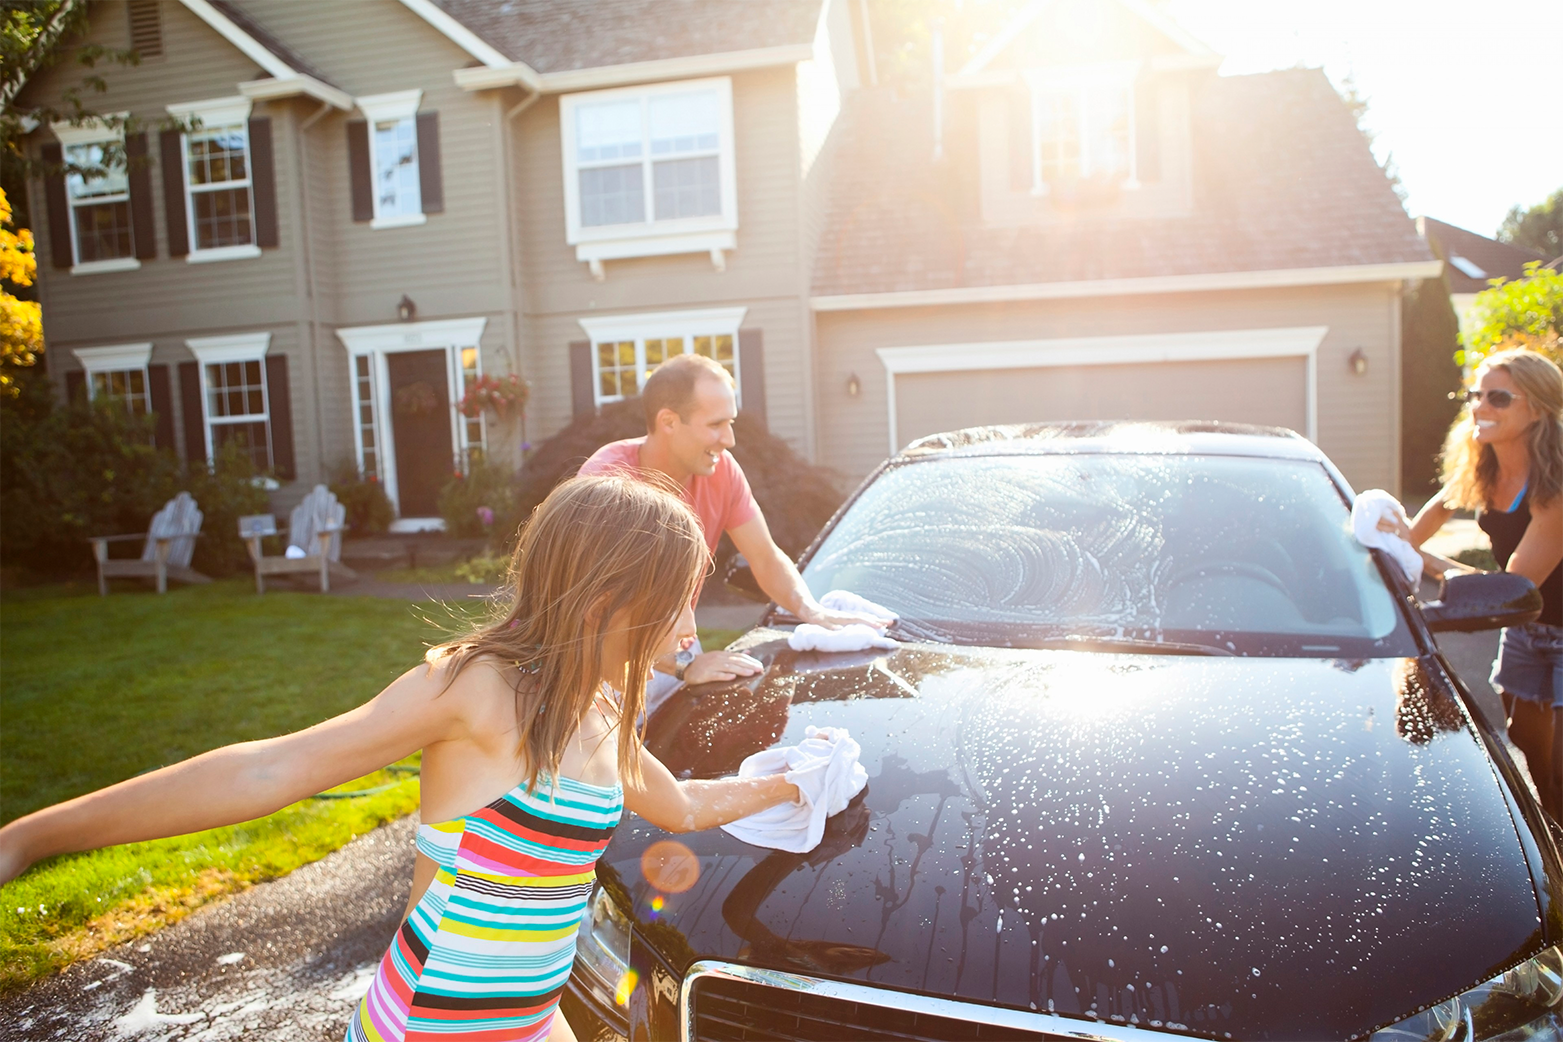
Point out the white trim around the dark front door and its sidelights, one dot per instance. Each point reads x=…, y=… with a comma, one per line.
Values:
x=377, y=341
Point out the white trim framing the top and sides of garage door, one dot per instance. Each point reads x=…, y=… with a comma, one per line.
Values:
x=1109, y=351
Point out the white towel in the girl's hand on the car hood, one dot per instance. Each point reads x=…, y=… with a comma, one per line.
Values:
x=826, y=771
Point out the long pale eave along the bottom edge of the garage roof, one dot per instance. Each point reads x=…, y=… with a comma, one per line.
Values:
x=1146, y=287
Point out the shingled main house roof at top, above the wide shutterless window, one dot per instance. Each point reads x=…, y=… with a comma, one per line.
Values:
x=562, y=37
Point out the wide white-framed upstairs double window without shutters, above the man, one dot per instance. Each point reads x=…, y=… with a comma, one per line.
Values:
x=649, y=163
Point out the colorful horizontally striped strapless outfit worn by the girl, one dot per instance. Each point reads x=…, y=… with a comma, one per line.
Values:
x=492, y=943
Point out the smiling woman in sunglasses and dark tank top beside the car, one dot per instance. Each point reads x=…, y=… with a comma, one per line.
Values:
x=1504, y=460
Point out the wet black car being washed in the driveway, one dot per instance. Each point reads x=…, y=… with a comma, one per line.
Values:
x=1164, y=751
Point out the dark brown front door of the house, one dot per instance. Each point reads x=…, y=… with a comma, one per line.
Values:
x=421, y=429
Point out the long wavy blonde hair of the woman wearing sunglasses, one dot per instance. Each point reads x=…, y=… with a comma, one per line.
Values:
x=1470, y=469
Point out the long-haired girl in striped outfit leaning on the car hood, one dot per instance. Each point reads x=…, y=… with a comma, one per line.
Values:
x=531, y=757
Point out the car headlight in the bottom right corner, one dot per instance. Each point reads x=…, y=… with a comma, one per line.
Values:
x=1523, y=1005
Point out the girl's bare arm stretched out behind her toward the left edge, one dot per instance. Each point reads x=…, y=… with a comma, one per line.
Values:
x=243, y=782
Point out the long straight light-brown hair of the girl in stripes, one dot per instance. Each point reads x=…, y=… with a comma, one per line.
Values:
x=598, y=549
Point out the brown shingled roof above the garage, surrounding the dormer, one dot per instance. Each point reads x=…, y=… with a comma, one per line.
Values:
x=1284, y=182
